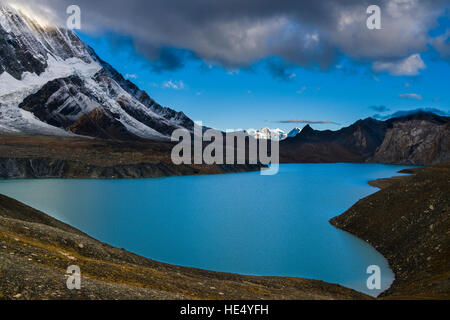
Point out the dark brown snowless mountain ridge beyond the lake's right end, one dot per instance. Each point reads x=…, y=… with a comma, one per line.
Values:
x=422, y=138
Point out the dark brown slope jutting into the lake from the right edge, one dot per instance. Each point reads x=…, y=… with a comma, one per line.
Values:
x=408, y=221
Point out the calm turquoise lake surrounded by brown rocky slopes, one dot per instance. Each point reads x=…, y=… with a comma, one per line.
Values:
x=241, y=223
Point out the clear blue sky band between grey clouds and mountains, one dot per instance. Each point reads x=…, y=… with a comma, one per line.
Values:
x=252, y=98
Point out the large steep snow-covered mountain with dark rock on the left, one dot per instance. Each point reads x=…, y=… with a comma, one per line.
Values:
x=52, y=83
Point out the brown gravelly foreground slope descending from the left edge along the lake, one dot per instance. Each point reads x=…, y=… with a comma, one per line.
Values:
x=35, y=251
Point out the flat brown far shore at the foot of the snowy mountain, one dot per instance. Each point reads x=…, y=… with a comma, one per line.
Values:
x=68, y=157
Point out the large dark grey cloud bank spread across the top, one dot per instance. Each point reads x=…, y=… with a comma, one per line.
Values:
x=236, y=33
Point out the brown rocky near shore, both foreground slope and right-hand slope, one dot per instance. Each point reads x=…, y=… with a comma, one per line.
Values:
x=33, y=244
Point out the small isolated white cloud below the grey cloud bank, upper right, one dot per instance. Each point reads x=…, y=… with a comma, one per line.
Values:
x=409, y=66
